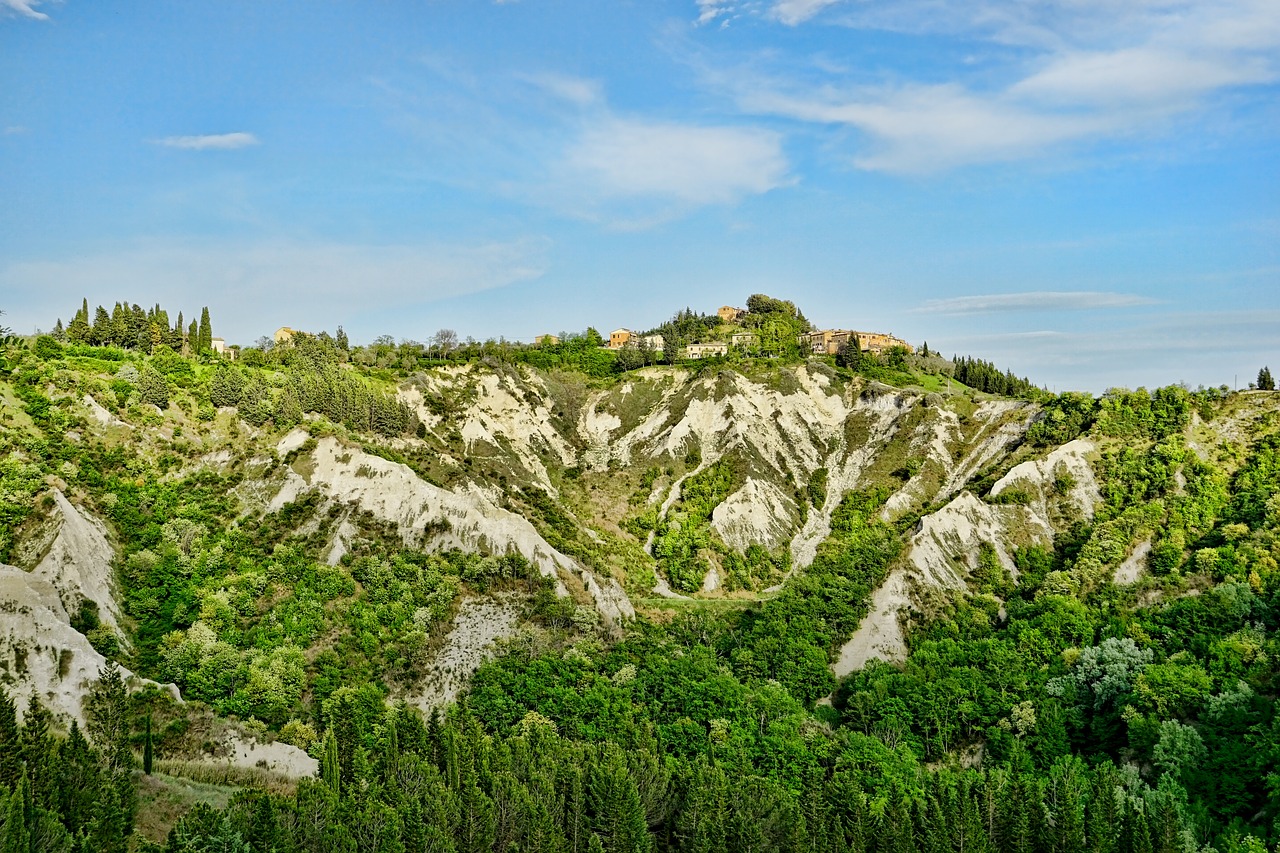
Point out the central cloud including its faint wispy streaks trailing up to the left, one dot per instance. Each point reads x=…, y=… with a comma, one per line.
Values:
x=555, y=142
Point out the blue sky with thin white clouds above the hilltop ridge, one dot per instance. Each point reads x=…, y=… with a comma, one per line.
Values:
x=1086, y=193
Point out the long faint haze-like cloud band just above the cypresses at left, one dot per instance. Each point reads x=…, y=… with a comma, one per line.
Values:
x=257, y=288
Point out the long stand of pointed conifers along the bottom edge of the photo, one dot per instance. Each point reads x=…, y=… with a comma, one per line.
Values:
x=391, y=783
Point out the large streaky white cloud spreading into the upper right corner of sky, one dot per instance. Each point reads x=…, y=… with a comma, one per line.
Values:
x=1080, y=72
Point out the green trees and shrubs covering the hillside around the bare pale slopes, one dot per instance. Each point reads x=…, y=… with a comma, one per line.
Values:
x=1048, y=710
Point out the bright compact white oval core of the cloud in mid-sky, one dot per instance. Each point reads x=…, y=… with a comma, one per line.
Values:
x=688, y=163
